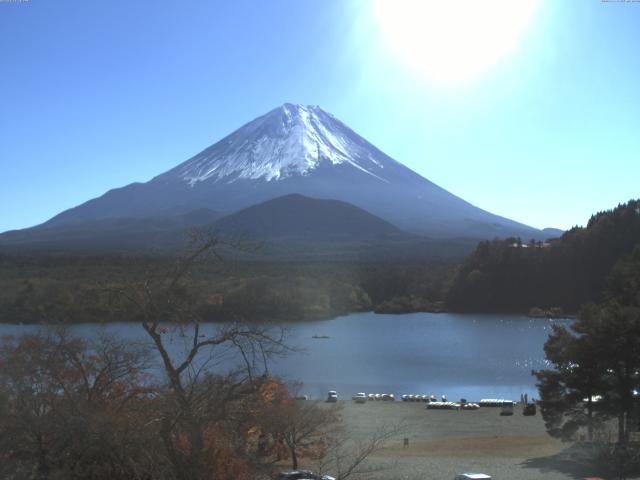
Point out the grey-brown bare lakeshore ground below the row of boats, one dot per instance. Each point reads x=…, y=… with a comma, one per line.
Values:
x=443, y=443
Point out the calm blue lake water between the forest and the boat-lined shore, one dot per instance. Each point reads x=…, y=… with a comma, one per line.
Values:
x=459, y=355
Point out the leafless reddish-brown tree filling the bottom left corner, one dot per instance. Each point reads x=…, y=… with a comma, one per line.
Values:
x=74, y=409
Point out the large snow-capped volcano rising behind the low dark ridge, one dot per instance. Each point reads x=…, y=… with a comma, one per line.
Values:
x=293, y=149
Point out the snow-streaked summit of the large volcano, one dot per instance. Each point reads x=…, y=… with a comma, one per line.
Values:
x=287, y=141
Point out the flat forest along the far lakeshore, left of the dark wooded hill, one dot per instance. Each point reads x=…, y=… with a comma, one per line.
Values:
x=68, y=289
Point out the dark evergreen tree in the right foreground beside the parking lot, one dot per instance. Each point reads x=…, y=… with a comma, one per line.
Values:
x=596, y=374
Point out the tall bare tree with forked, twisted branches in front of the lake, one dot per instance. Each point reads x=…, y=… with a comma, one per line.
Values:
x=168, y=308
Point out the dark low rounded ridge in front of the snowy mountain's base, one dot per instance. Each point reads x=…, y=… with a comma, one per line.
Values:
x=292, y=227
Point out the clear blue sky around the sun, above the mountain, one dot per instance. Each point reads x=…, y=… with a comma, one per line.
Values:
x=96, y=95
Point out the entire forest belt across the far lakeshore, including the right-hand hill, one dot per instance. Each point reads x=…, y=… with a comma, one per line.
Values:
x=511, y=275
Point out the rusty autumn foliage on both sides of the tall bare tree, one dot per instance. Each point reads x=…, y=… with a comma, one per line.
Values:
x=75, y=409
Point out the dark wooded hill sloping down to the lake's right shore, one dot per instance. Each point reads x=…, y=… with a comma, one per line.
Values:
x=509, y=275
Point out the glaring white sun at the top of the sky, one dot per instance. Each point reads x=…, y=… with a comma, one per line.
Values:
x=452, y=40
